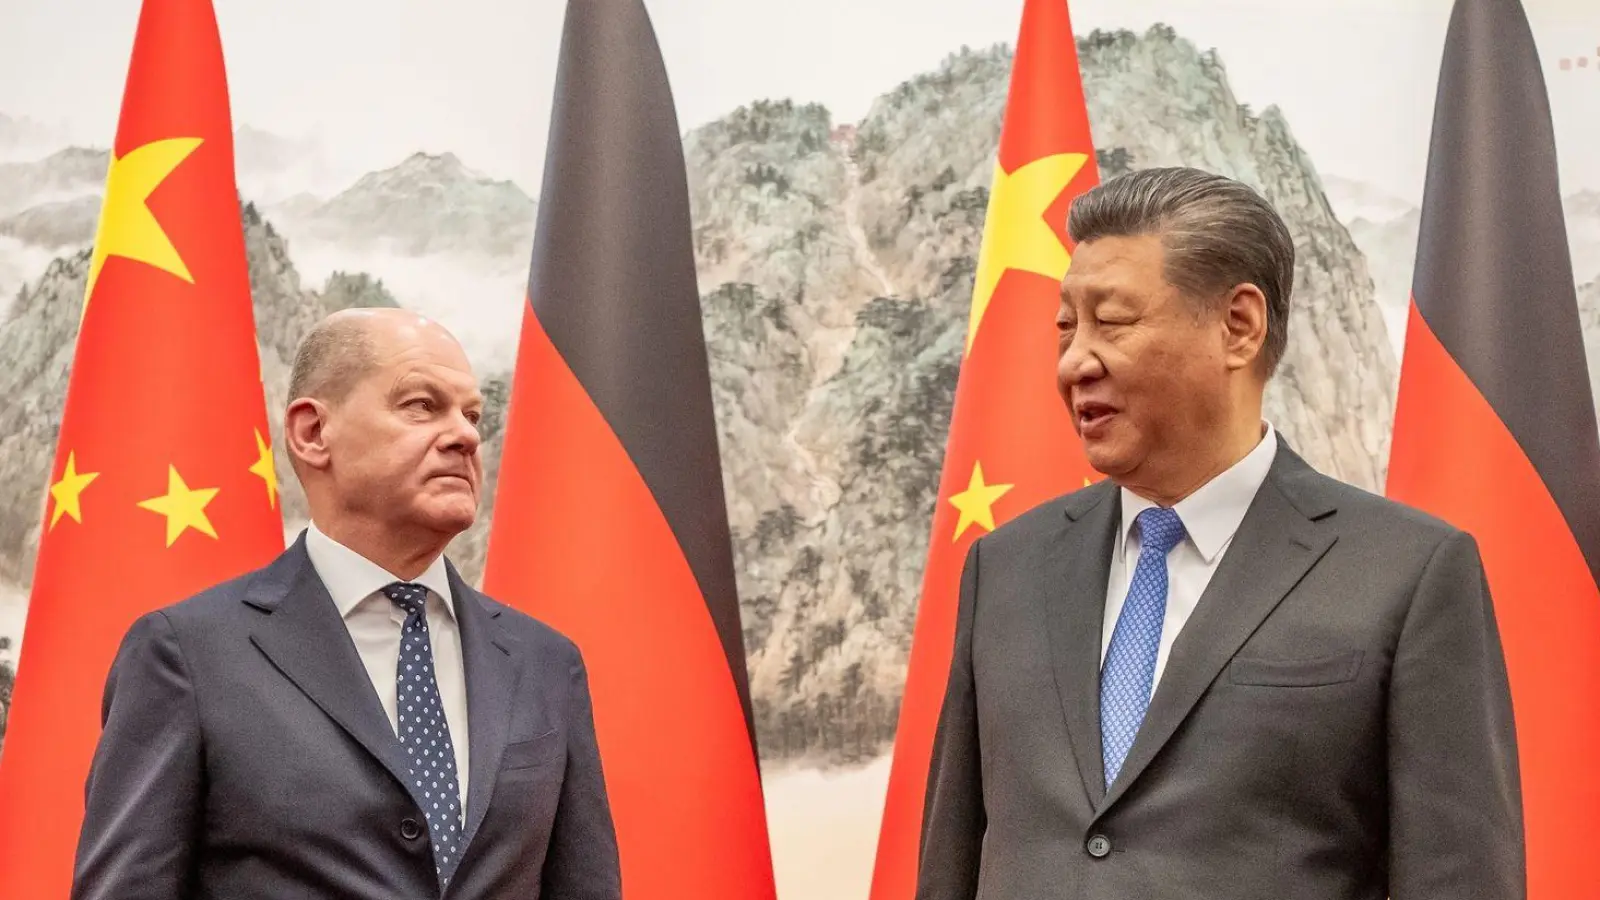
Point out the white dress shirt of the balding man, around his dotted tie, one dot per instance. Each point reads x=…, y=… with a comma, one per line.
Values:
x=356, y=585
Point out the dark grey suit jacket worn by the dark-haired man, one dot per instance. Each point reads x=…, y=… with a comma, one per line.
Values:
x=1334, y=723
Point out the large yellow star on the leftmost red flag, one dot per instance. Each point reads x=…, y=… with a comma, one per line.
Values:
x=127, y=227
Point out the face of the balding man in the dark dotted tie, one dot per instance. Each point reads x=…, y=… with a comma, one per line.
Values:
x=404, y=443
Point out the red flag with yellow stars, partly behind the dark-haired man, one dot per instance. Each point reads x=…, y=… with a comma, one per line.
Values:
x=1012, y=443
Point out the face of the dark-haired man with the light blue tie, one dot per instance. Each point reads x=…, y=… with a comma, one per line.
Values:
x=1146, y=379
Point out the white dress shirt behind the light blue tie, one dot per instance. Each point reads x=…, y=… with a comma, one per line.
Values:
x=1210, y=518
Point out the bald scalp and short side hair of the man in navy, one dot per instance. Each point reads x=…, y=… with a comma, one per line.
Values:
x=350, y=344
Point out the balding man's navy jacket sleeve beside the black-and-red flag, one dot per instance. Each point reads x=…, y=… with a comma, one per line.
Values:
x=583, y=859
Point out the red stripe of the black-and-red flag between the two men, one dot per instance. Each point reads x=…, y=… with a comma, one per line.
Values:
x=588, y=552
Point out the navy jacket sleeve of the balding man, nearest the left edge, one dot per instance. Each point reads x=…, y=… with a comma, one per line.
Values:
x=143, y=803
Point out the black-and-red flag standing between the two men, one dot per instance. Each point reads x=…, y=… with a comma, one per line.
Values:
x=610, y=521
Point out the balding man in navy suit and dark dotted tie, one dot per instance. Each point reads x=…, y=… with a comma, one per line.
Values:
x=354, y=721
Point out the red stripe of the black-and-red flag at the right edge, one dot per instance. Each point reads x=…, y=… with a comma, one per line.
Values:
x=1455, y=459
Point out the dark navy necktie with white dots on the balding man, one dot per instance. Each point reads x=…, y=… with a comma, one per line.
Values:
x=425, y=734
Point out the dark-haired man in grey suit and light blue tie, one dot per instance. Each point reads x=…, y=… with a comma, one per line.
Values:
x=1217, y=673
